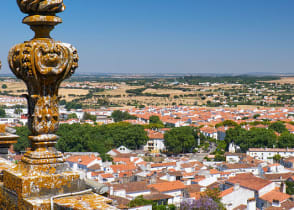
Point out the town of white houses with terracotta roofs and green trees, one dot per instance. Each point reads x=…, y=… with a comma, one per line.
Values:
x=171, y=157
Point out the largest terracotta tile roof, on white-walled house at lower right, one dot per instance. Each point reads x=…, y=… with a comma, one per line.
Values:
x=249, y=181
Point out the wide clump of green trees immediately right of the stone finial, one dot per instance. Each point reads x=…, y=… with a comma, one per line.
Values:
x=84, y=137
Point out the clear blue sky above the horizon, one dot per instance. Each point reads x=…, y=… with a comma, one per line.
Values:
x=168, y=36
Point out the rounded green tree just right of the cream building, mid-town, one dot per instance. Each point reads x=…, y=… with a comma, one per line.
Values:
x=180, y=140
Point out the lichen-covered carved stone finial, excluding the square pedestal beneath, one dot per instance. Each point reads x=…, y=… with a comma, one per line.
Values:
x=43, y=63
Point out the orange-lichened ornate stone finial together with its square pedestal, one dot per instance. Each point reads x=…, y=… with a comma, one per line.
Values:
x=42, y=63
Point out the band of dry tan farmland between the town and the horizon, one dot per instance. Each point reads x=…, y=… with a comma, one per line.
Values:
x=187, y=91
